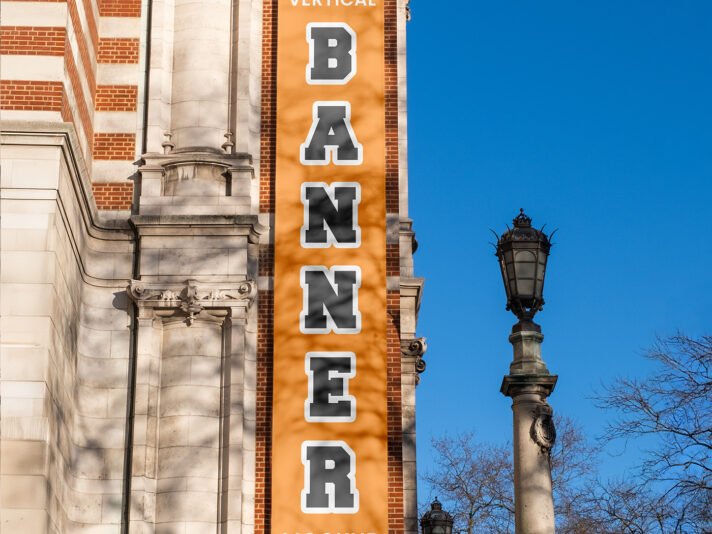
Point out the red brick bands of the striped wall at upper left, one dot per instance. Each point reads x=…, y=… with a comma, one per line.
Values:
x=78, y=96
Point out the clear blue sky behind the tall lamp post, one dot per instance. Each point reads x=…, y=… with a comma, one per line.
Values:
x=596, y=117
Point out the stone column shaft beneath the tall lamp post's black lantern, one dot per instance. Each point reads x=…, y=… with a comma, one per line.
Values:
x=529, y=383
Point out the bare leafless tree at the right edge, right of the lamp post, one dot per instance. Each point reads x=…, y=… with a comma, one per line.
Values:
x=672, y=407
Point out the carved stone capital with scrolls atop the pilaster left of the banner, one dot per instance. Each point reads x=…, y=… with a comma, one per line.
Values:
x=191, y=297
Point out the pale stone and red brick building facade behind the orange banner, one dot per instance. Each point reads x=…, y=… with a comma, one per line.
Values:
x=138, y=149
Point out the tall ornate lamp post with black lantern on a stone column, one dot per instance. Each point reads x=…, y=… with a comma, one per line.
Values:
x=523, y=252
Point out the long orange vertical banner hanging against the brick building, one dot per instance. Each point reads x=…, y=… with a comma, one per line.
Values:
x=365, y=434
